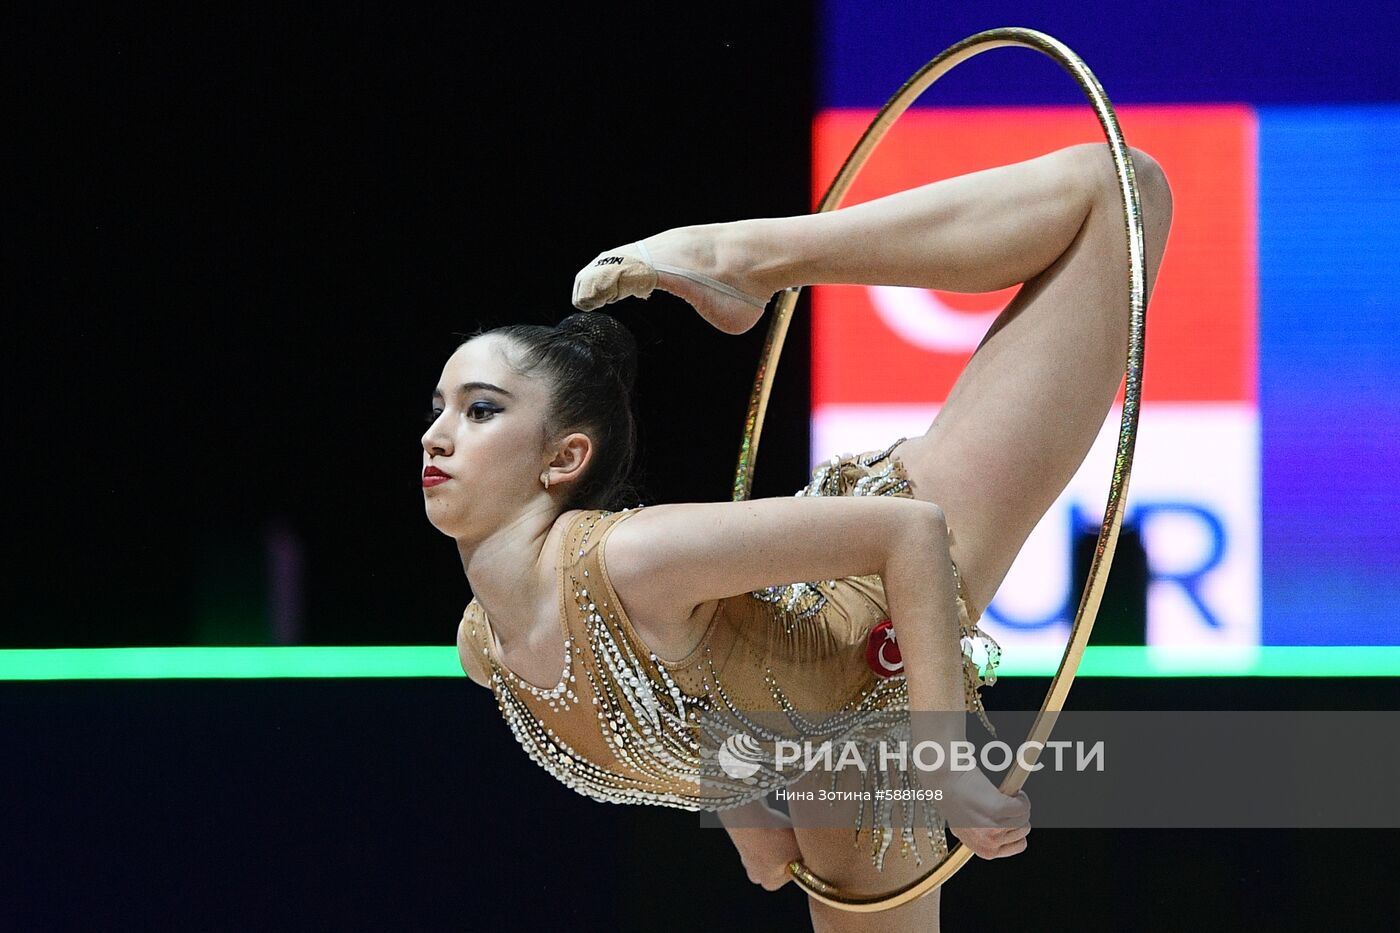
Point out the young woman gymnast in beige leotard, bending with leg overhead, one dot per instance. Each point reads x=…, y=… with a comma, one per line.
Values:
x=621, y=642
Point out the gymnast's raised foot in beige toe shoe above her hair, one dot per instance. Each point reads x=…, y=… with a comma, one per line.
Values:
x=712, y=267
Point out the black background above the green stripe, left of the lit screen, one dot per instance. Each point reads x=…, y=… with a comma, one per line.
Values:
x=243, y=244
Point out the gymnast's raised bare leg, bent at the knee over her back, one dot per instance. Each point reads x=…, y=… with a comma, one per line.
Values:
x=1034, y=396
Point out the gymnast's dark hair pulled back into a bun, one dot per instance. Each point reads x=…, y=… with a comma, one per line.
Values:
x=590, y=361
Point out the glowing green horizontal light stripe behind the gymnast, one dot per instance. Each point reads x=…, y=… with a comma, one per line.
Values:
x=208, y=663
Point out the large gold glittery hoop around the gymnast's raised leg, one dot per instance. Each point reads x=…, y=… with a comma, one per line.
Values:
x=1128, y=432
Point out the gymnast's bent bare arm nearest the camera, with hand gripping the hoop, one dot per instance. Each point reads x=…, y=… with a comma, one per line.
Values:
x=682, y=555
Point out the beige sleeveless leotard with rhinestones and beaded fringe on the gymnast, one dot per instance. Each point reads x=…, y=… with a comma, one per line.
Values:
x=804, y=662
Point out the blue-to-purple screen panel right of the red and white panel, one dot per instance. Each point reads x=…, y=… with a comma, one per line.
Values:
x=1329, y=392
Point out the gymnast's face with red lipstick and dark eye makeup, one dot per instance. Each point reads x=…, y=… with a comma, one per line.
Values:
x=488, y=436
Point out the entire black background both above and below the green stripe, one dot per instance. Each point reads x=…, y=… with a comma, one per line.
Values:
x=239, y=249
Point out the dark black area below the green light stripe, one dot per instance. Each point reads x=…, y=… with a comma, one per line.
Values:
x=405, y=805
